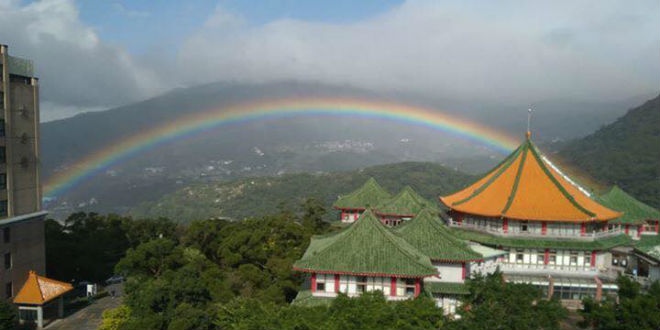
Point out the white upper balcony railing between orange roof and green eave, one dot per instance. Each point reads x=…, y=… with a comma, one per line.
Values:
x=512, y=232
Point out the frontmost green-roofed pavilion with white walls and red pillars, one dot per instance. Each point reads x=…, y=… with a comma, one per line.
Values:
x=365, y=256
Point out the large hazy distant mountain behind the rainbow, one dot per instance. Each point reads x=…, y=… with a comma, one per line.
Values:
x=272, y=147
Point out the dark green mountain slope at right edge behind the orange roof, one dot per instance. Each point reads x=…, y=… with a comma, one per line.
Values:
x=625, y=153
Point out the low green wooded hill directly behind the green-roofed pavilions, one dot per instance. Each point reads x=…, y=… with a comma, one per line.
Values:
x=250, y=197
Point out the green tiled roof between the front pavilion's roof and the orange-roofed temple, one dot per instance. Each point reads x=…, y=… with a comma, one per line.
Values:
x=431, y=237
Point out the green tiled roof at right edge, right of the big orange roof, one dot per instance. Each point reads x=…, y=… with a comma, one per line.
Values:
x=634, y=211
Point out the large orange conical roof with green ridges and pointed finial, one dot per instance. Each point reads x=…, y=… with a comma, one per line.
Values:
x=526, y=186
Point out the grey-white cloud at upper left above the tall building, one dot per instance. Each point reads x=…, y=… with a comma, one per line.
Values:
x=77, y=70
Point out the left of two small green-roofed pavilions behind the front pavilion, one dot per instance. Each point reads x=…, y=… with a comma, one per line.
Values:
x=353, y=204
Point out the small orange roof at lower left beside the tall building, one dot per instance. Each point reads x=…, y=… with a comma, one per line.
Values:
x=39, y=290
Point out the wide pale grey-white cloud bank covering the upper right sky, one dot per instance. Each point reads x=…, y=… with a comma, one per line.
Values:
x=510, y=51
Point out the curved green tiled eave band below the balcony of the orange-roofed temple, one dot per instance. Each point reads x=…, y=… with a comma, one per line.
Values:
x=536, y=243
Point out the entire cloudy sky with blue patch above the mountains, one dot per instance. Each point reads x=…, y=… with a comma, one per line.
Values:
x=92, y=54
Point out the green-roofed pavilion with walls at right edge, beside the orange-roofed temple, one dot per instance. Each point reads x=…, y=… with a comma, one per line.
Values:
x=637, y=219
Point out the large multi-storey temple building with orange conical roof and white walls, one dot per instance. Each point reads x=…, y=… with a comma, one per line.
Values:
x=556, y=234
